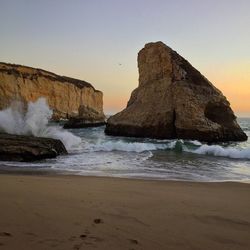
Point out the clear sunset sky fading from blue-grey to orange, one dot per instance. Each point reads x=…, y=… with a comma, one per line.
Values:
x=98, y=41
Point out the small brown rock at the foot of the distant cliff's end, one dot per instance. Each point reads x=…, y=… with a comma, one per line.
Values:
x=87, y=117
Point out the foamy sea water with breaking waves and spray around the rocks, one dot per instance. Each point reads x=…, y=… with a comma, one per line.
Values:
x=91, y=152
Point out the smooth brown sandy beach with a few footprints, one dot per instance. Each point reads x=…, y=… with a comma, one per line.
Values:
x=70, y=212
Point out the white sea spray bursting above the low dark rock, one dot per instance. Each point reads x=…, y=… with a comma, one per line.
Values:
x=34, y=121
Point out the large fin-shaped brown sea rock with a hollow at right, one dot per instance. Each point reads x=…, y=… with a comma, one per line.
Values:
x=174, y=100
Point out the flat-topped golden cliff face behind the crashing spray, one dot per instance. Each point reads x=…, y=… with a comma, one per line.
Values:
x=64, y=95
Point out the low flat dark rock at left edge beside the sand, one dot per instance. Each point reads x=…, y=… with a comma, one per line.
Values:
x=29, y=148
